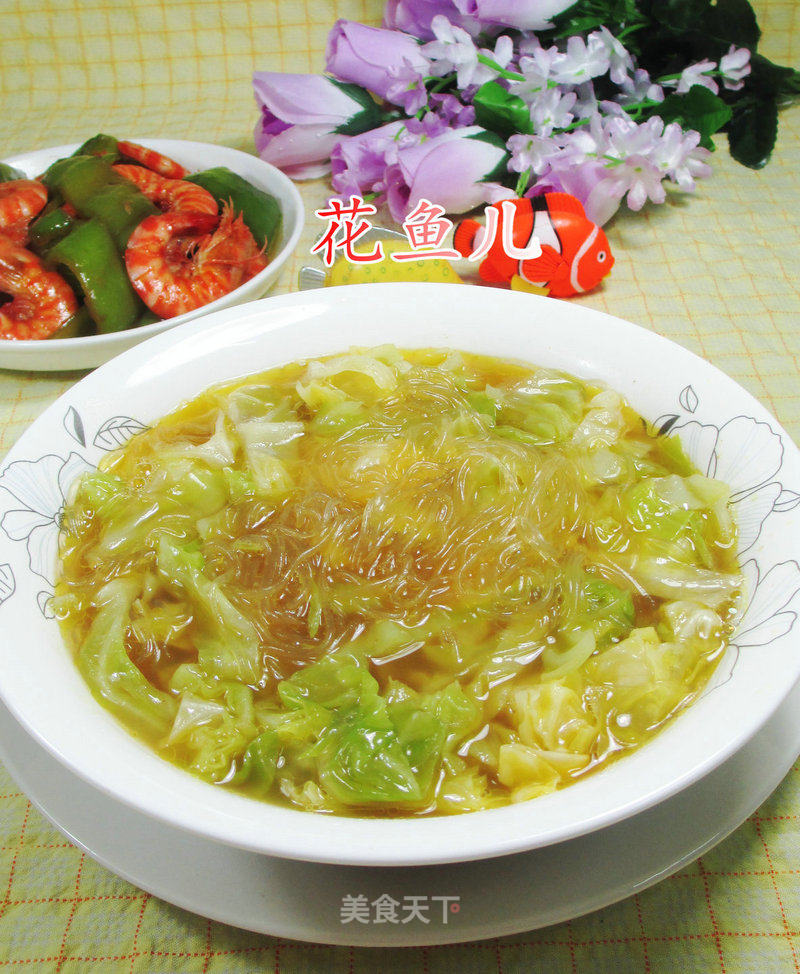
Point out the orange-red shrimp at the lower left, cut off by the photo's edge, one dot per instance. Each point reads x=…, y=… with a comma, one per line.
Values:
x=41, y=300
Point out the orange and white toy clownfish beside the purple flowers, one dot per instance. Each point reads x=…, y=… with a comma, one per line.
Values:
x=575, y=255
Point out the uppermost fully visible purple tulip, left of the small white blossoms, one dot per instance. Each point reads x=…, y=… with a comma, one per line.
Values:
x=387, y=62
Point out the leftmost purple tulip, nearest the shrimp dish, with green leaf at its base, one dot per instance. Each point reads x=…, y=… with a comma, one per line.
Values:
x=303, y=117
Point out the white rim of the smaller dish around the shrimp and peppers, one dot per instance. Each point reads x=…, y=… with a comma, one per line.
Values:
x=290, y=201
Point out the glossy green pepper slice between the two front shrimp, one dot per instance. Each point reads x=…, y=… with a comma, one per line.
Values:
x=89, y=256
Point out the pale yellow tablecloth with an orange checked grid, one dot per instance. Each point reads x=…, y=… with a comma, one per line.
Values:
x=716, y=273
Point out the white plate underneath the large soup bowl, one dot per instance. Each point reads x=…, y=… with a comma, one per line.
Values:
x=493, y=898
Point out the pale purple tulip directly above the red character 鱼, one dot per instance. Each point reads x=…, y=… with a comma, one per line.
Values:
x=455, y=169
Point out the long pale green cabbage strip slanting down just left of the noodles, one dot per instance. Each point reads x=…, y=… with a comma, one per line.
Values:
x=229, y=645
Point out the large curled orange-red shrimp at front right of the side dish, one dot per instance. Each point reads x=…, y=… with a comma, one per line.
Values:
x=176, y=264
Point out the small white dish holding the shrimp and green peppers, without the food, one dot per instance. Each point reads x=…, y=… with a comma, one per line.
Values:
x=85, y=353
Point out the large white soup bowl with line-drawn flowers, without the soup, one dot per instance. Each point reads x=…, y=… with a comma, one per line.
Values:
x=724, y=429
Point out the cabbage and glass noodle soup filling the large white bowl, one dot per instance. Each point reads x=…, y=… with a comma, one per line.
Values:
x=398, y=582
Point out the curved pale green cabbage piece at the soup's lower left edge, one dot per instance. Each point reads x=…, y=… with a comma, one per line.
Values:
x=106, y=667
